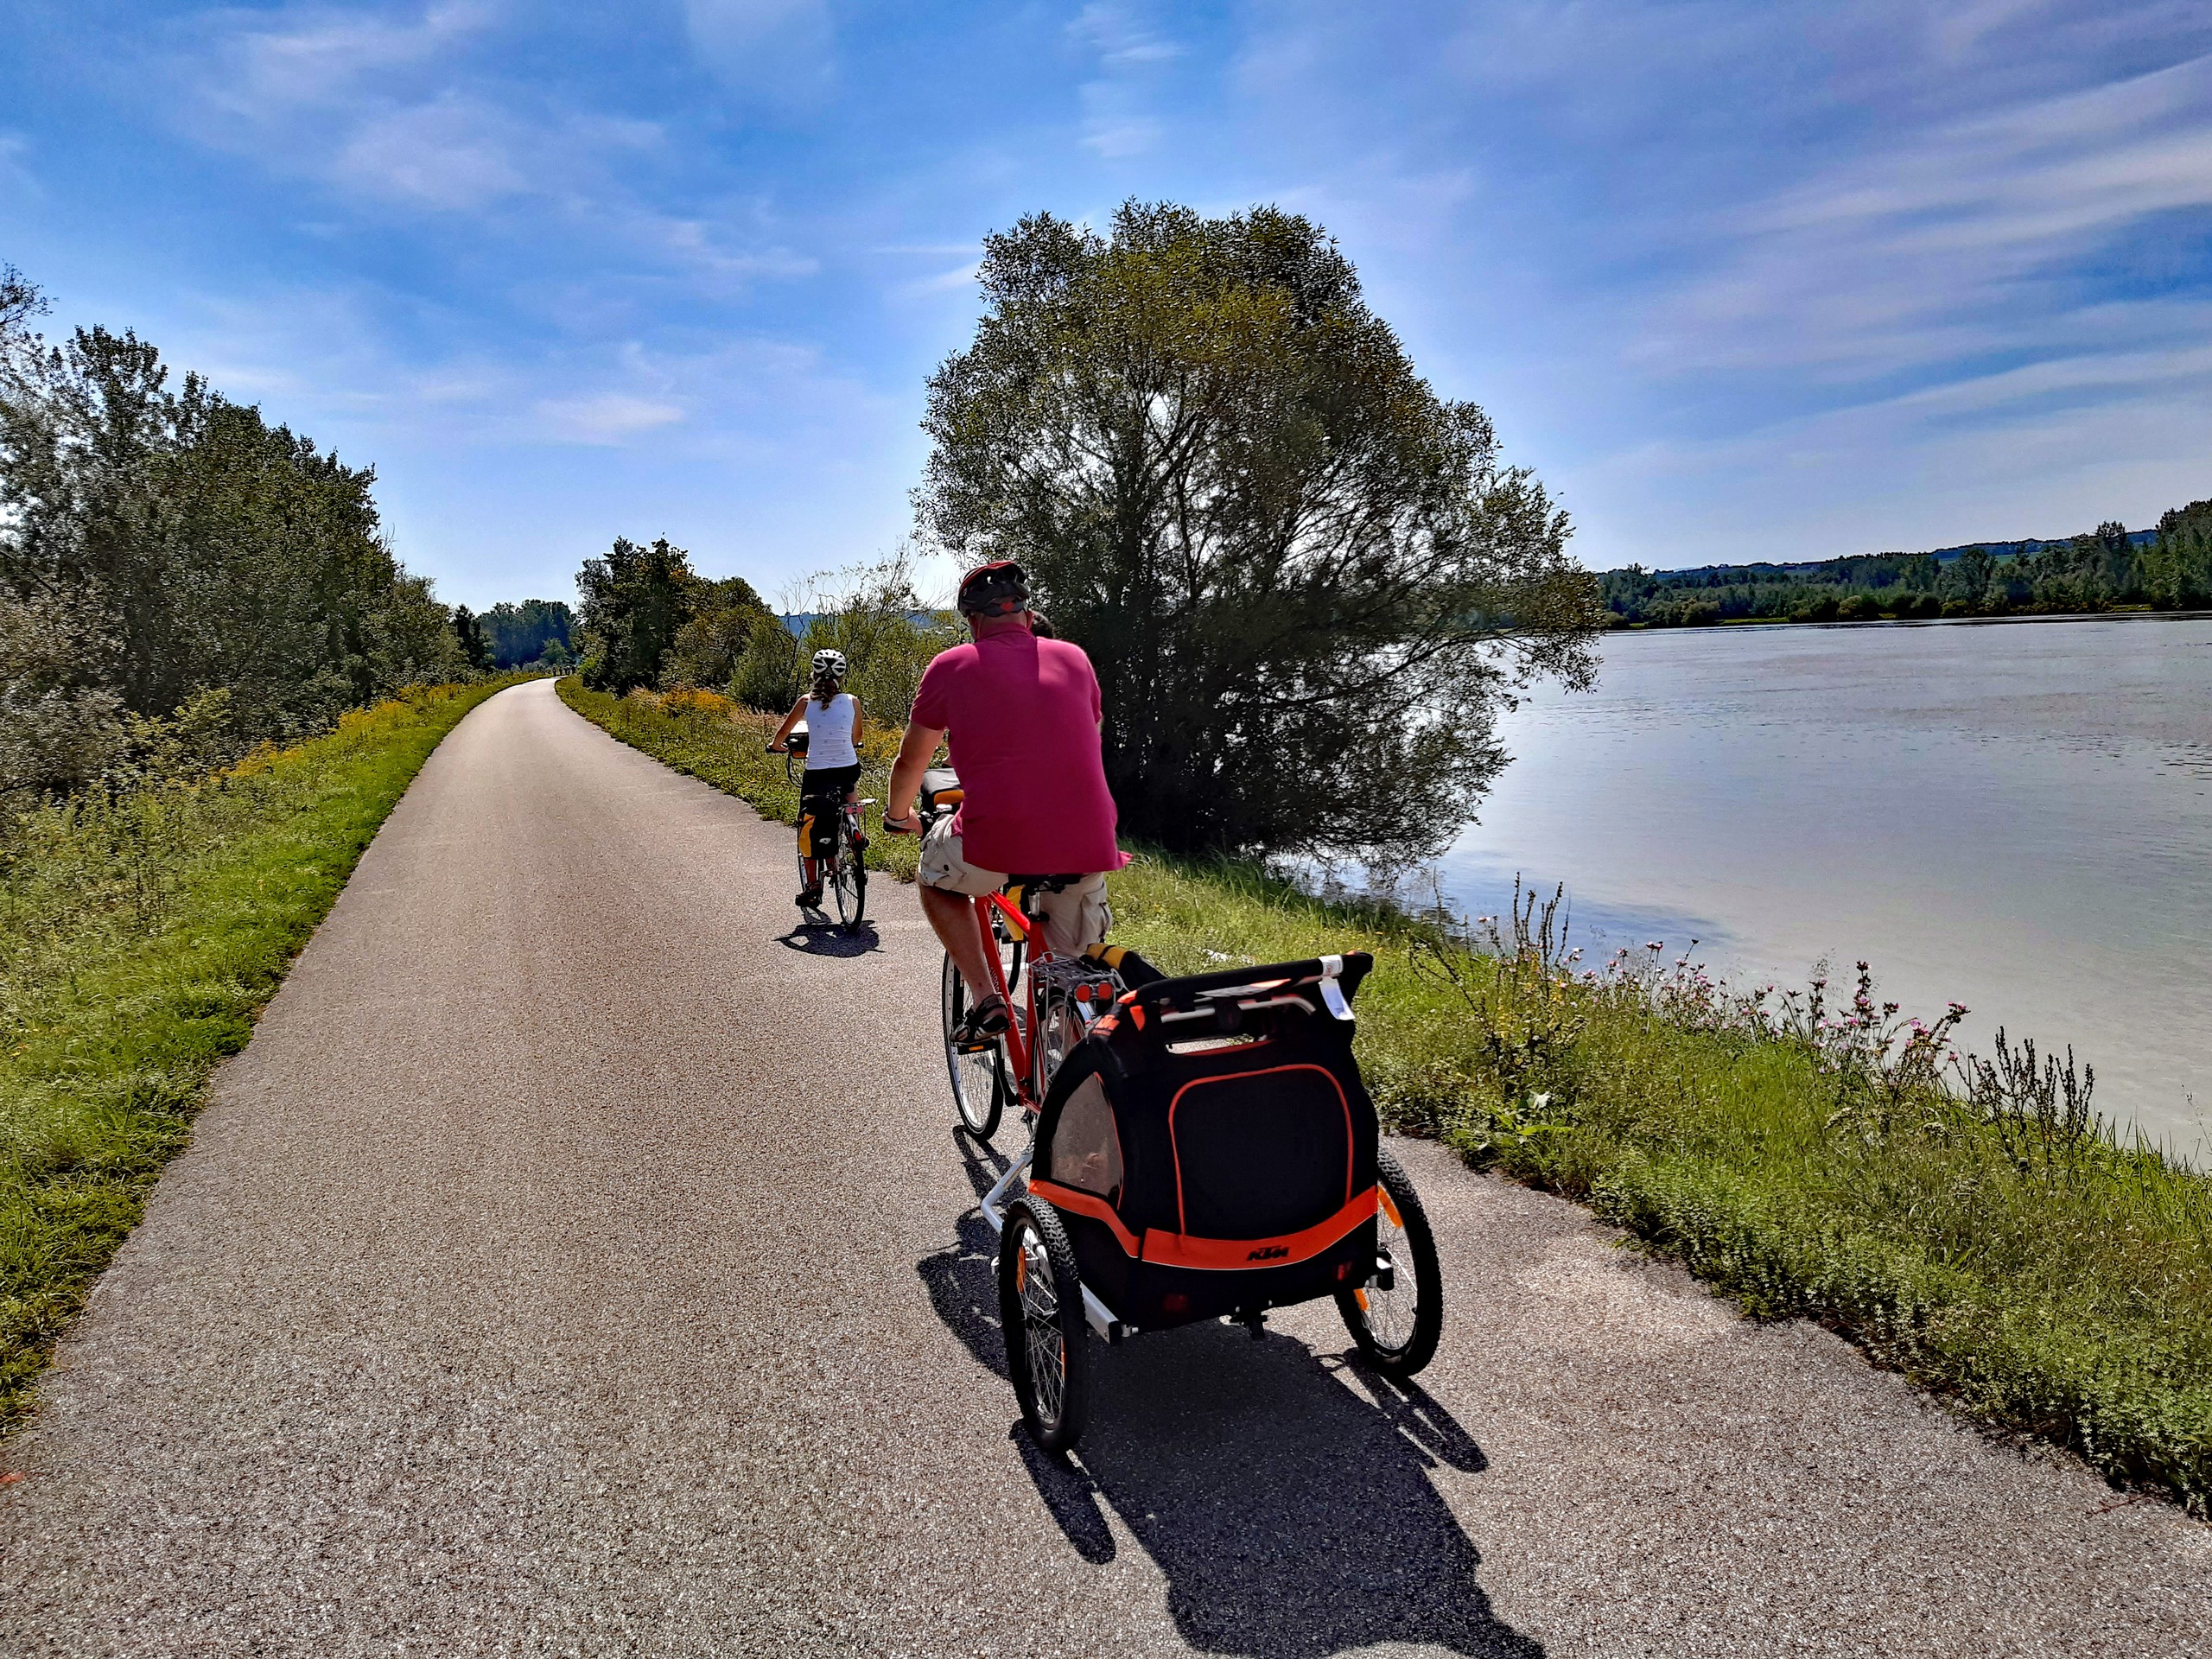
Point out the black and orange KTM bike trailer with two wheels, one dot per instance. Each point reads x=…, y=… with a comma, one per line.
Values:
x=1209, y=1151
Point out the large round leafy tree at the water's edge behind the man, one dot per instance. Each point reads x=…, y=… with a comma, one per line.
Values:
x=1306, y=581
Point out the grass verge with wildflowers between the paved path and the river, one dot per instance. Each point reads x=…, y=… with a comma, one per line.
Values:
x=1987, y=1238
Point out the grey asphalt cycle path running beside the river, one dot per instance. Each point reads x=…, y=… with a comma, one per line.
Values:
x=583, y=1262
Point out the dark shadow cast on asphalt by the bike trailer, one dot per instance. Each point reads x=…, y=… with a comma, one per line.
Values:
x=1291, y=1514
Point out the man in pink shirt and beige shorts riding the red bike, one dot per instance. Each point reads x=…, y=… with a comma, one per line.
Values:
x=1023, y=718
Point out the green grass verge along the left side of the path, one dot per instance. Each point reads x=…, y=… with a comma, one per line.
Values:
x=140, y=937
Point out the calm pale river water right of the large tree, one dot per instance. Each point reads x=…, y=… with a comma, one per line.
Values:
x=2016, y=817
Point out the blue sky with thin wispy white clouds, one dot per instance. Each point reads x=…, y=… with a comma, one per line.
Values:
x=1738, y=280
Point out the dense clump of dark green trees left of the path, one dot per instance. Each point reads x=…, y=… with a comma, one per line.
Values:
x=207, y=559
